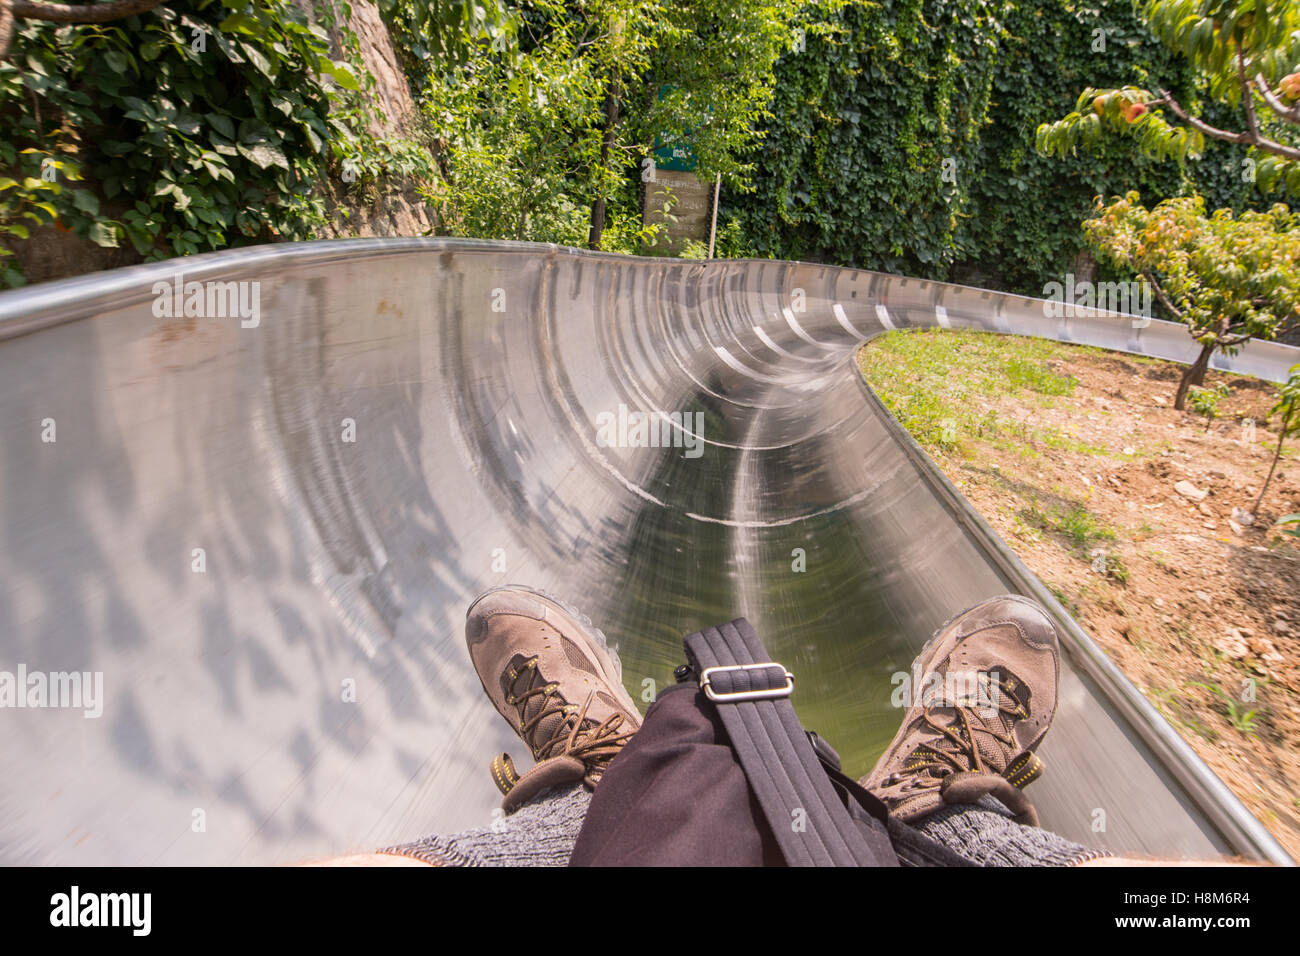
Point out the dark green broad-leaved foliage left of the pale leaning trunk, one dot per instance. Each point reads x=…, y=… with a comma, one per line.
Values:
x=184, y=127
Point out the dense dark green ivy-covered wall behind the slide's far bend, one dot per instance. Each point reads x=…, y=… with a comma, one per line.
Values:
x=903, y=140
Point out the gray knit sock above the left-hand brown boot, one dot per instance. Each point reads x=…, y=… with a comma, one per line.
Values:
x=539, y=834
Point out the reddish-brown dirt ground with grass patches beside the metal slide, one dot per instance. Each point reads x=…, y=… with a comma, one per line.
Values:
x=1133, y=514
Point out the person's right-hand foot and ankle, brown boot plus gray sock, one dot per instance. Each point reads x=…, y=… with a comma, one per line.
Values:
x=987, y=687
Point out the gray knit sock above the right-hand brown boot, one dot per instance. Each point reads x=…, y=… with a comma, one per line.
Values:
x=986, y=834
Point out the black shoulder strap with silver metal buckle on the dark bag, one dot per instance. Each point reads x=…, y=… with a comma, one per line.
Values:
x=752, y=695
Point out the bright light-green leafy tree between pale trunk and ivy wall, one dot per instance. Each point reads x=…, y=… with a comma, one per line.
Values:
x=558, y=122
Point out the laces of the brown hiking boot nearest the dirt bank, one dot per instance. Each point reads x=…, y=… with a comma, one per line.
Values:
x=957, y=751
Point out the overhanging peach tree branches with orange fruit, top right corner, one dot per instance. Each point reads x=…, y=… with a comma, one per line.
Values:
x=1246, y=49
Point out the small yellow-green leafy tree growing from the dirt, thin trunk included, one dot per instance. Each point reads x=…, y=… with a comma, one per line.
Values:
x=1229, y=279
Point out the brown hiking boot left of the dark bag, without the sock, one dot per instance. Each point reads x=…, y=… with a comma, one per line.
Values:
x=551, y=674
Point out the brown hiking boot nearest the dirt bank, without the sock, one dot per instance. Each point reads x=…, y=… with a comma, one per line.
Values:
x=983, y=695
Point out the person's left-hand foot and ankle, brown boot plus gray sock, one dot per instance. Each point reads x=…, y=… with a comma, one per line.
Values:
x=551, y=673
